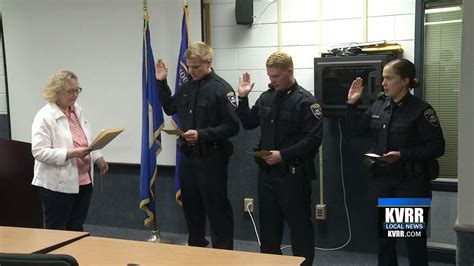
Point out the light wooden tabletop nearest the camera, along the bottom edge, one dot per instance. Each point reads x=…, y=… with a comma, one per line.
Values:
x=97, y=250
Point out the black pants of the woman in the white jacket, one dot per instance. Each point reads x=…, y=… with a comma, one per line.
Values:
x=65, y=211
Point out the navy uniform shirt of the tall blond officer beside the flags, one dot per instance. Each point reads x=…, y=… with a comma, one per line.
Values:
x=207, y=105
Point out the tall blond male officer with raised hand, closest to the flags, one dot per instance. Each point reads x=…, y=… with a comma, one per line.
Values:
x=205, y=107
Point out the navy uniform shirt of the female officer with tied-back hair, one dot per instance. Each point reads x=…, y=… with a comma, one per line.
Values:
x=410, y=126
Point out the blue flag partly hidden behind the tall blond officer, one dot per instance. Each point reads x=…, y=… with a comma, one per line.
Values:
x=182, y=75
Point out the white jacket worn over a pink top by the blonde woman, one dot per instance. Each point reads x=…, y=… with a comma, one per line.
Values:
x=50, y=140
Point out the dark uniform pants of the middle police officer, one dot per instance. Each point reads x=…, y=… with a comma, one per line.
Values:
x=286, y=197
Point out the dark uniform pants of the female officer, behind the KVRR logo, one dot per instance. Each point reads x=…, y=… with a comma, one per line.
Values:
x=399, y=187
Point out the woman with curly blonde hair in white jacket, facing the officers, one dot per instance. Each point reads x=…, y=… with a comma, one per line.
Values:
x=64, y=171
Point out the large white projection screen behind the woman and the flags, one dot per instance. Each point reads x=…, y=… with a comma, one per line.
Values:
x=100, y=41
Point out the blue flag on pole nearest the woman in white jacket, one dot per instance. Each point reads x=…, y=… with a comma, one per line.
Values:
x=152, y=124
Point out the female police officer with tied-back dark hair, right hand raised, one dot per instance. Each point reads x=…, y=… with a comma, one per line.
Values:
x=408, y=135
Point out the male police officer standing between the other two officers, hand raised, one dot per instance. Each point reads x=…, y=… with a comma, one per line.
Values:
x=290, y=121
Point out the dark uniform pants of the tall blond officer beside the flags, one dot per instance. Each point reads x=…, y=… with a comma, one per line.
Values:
x=204, y=192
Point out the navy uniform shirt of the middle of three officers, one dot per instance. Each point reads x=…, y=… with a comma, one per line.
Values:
x=289, y=121
